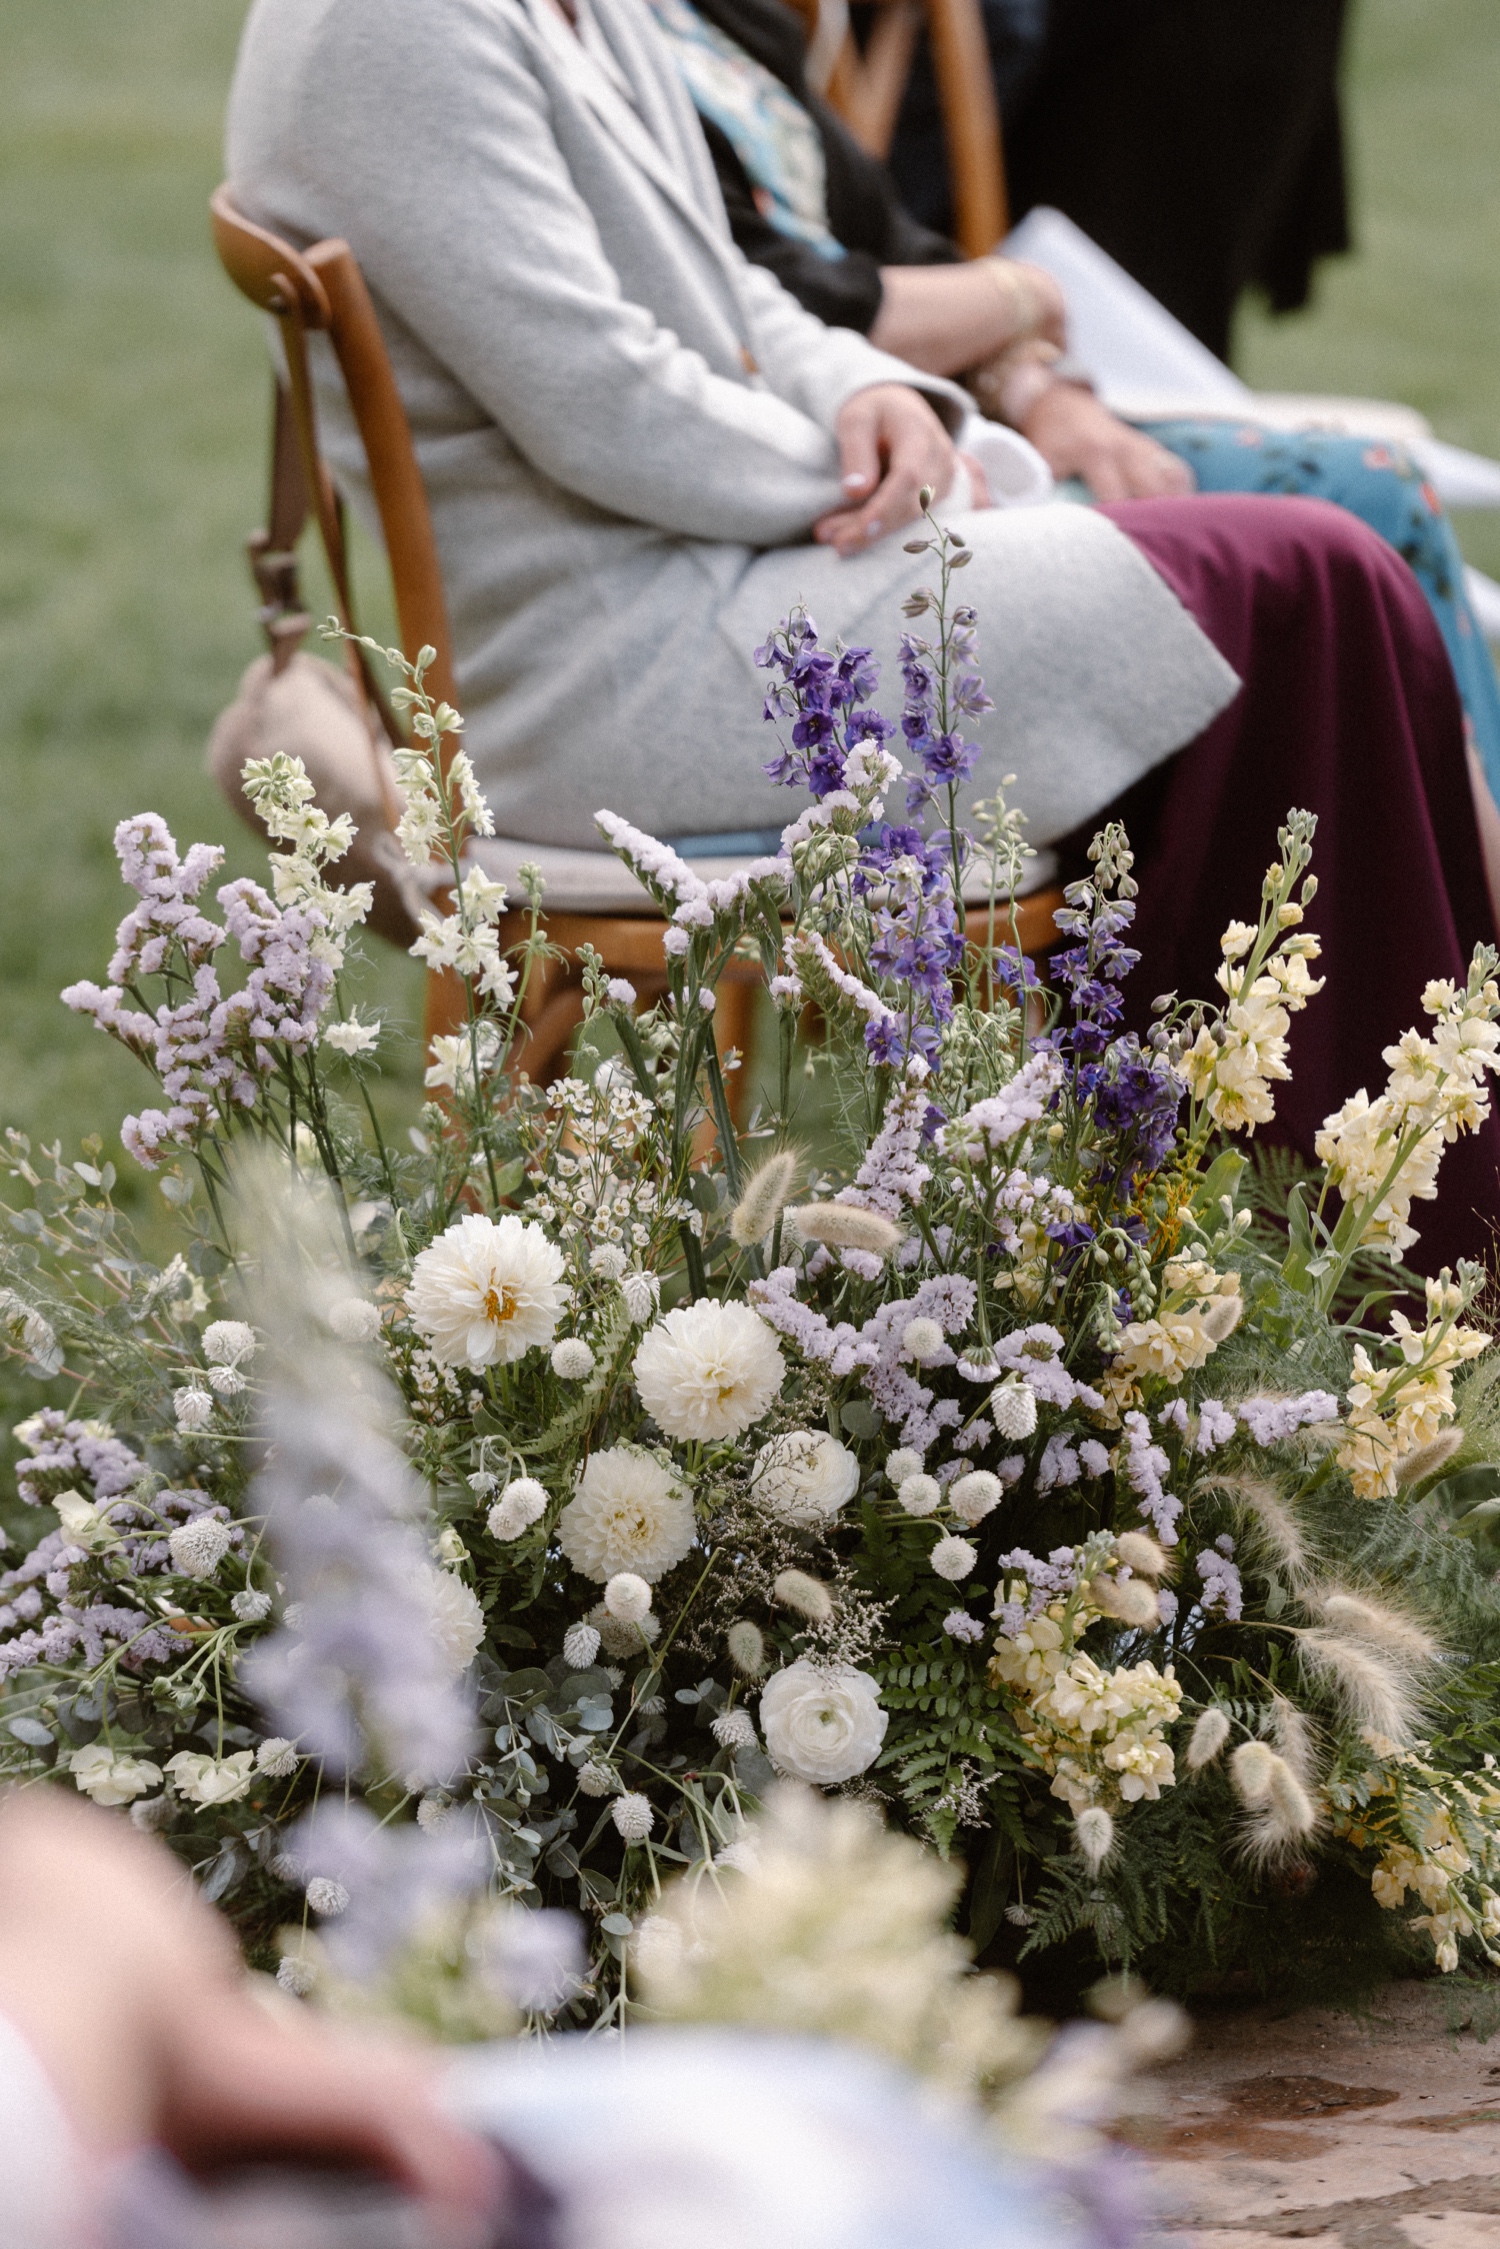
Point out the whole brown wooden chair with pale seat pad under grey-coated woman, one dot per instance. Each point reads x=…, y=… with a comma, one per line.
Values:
x=323, y=291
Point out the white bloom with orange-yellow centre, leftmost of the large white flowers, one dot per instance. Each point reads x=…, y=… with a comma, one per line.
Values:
x=487, y=1292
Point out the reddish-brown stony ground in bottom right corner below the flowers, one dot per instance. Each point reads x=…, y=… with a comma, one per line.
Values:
x=1337, y=2131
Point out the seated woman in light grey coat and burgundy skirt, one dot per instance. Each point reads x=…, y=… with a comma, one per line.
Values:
x=642, y=453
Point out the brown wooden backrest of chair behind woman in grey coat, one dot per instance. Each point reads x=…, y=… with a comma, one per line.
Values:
x=323, y=291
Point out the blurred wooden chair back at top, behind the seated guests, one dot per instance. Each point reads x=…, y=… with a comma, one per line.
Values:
x=867, y=91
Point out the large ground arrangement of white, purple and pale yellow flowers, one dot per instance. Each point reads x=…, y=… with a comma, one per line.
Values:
x=968, y=1429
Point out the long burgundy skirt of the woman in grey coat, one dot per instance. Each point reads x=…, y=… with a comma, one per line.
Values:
x=1350, y=712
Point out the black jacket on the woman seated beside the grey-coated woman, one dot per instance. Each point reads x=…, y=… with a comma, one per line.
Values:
x=862, y=206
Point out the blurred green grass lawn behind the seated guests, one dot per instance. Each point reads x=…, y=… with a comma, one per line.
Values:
x=132, y=444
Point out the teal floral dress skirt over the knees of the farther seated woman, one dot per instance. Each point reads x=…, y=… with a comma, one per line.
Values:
x=1386, y=489
